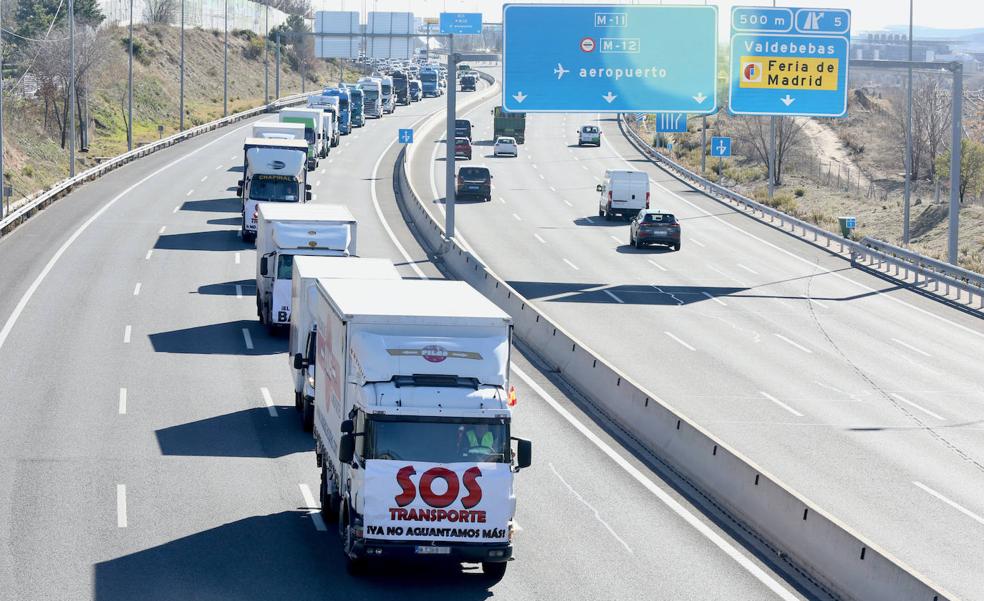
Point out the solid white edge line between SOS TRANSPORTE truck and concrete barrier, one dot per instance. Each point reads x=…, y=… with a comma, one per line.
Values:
x=662, y=496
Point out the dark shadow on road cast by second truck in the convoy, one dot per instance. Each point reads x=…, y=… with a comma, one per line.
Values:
x=247, y=433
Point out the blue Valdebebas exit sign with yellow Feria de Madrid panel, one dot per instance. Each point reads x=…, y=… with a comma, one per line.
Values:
x=789, y=61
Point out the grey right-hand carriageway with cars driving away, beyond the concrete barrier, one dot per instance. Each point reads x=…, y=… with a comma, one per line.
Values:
x=863, y=396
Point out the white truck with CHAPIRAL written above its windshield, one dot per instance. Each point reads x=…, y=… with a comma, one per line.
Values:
x=274, y=171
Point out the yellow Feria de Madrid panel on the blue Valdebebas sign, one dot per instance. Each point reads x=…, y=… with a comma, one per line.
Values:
x=788, y=73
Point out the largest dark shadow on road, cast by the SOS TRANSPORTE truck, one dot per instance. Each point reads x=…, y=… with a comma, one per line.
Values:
x=268, y=558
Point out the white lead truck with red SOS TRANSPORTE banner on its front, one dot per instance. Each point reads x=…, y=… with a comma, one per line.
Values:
x=412, y=418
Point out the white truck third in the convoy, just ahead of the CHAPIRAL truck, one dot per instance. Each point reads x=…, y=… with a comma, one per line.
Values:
x=284, y=231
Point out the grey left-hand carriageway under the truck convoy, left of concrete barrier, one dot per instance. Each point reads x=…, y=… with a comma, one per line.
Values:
x=149, y=448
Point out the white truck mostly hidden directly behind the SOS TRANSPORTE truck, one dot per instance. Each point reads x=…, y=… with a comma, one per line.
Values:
x=303, y=300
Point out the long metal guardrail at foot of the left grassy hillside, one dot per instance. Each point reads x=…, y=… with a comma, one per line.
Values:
x=45, y=198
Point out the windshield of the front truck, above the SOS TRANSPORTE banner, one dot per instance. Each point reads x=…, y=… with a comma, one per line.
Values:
x=437, y=441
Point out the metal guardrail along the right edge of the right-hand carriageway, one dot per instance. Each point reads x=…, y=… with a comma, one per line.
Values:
x=892, y=261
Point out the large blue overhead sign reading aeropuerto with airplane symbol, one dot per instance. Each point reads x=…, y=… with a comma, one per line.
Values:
x=609, y=58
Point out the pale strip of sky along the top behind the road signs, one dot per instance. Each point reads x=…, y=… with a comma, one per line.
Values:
x=867, y=14
